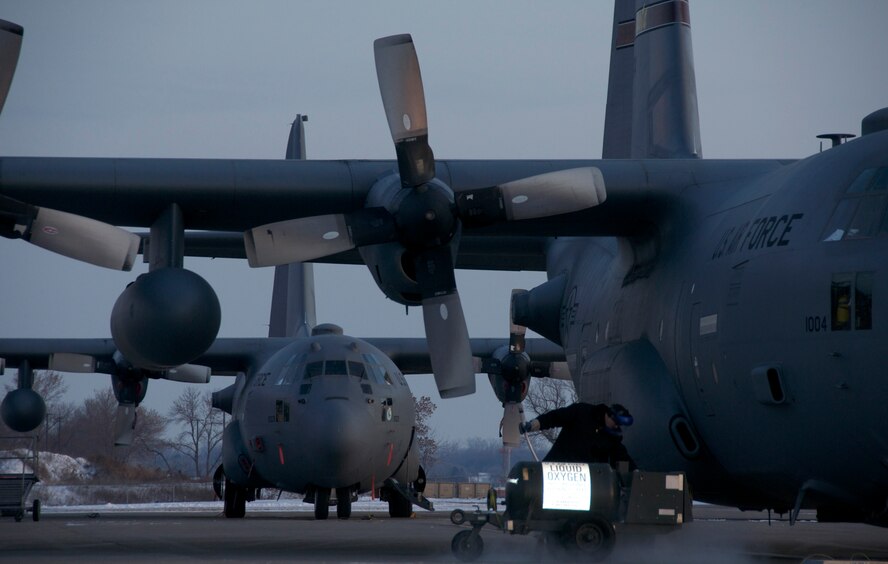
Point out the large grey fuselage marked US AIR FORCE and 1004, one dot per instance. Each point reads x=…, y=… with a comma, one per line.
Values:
x=746, y=332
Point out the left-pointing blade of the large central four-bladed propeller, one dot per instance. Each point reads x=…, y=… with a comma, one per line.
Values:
x=309, y=238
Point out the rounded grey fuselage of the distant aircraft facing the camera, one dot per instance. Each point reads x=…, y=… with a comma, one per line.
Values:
x=328, y=411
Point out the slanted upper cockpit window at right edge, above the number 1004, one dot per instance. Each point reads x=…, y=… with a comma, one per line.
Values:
x=859, y=214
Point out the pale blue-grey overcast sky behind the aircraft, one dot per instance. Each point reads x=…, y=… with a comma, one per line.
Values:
x=504, y=79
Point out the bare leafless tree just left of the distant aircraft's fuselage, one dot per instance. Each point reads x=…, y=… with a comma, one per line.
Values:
x=202, y=427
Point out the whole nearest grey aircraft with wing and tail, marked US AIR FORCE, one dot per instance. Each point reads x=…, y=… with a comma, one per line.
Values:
x=734, y=303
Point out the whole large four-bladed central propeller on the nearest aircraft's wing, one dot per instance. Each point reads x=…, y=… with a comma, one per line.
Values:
x=424, y=216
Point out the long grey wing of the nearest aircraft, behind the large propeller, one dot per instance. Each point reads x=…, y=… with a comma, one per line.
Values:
x=237, y=195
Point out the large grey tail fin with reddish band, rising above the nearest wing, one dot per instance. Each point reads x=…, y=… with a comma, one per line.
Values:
x=652, y=90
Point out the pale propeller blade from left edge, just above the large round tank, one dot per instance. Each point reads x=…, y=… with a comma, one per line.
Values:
x=73, y=236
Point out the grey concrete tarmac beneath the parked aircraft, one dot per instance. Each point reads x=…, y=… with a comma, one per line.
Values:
x=716, y=535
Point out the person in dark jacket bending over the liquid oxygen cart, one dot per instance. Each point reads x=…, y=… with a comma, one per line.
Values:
x=589, y=433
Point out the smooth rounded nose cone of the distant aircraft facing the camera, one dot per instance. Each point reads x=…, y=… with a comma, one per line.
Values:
x=336, y=436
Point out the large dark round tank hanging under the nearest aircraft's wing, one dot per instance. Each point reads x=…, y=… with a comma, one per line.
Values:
x=166, y=318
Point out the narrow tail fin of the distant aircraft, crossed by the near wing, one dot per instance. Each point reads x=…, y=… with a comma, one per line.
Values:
x=293, y=297
